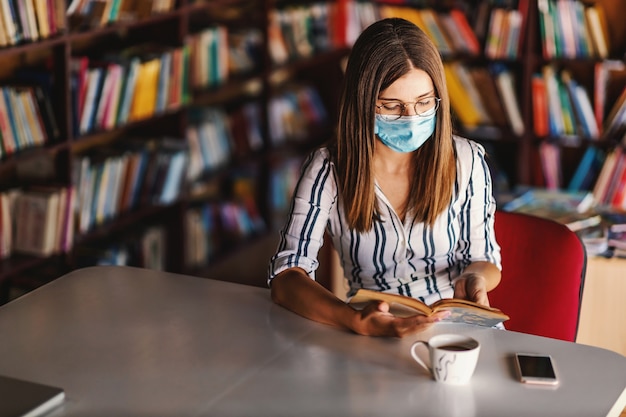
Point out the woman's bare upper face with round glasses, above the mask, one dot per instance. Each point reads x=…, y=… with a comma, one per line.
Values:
x=409, y=94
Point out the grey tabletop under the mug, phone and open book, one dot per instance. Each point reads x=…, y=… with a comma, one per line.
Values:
x=133, y=342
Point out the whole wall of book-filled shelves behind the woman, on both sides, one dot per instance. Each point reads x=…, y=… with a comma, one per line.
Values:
x=229, y=194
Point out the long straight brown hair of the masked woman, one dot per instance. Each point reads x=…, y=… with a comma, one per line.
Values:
x=384, y=52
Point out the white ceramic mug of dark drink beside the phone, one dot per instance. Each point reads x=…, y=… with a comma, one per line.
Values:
x=452, y=357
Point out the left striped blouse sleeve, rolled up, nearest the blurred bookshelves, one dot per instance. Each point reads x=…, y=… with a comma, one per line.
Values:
x=302, y=236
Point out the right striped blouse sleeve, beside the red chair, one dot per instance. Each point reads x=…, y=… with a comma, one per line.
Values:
x=477, y=240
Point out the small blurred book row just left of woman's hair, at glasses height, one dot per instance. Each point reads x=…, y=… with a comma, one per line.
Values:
x=293, y=113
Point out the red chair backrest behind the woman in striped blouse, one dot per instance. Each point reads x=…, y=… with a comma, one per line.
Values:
x=543, y=271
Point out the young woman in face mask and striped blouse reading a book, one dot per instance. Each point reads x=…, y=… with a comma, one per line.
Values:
x=407, y=204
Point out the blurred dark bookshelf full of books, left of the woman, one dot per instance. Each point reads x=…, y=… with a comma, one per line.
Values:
x=162, y=124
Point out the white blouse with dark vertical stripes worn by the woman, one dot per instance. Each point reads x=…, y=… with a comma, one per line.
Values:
x=394, y=256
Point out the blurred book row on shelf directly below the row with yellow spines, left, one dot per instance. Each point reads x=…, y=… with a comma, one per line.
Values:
x=113, y=180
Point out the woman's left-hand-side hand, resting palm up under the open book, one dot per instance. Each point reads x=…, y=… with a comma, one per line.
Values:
x=376, y=320
